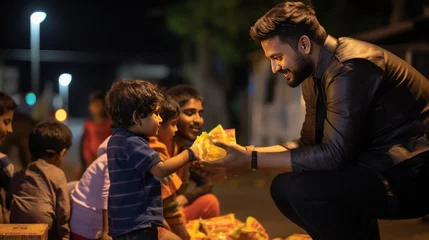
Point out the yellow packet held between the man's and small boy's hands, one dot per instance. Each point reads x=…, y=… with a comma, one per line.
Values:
x=207, y=150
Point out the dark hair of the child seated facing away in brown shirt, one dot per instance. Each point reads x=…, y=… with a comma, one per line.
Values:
x=48, y=139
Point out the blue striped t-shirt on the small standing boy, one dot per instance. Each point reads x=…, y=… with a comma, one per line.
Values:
x=135, y=194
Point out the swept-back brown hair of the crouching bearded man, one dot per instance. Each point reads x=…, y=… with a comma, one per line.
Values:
x=289, y=21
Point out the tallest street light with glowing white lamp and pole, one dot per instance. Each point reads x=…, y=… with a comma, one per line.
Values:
x=35, y=19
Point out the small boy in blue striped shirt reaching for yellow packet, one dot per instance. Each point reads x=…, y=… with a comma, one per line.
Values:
x=135, y=204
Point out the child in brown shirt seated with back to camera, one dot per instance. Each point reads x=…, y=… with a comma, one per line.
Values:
x=39, y=191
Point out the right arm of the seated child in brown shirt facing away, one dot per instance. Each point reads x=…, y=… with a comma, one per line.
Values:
x=62, y=211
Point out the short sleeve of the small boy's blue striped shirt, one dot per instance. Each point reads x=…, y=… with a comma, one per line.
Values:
x=142, y=157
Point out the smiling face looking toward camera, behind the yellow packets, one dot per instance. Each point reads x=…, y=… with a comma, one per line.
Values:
x=191, y=119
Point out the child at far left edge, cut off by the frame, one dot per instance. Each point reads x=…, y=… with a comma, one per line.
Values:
x=7, y=108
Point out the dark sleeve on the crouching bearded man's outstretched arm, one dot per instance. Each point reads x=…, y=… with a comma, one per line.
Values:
x=348, y=98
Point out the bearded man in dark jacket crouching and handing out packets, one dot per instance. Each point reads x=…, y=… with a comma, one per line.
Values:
x=363, y=151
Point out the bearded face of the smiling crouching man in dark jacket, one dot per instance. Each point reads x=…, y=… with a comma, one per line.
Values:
x=294, y=65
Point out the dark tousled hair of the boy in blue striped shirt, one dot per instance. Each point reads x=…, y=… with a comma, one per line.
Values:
x=128, y=96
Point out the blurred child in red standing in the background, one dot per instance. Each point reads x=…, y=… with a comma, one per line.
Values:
x=96, y=129
